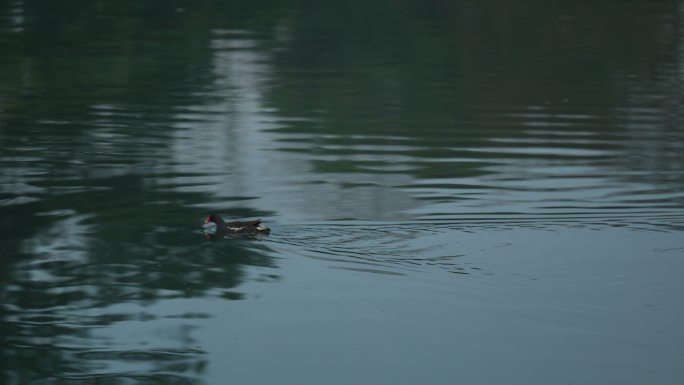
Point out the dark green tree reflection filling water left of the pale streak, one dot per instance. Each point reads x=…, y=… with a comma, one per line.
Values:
x=90, y=240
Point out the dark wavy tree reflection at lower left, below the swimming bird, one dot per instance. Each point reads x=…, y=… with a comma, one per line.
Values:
x=70, y=275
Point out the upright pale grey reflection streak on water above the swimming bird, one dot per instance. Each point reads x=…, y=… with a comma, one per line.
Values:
x=218, y=150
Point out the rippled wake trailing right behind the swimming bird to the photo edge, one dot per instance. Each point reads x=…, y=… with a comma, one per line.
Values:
x=428, y=244
